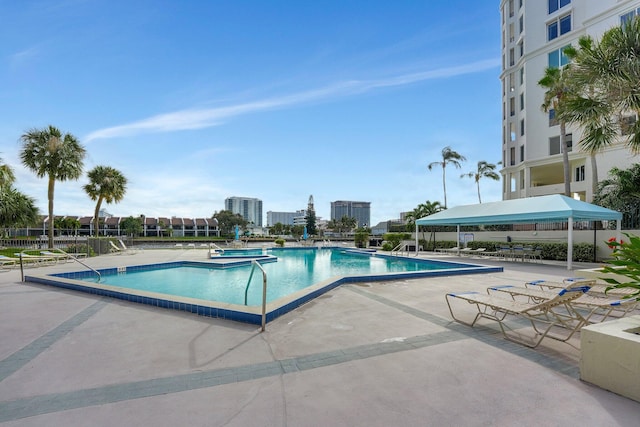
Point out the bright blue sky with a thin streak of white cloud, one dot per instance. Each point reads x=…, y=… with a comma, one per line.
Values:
x=197, y=101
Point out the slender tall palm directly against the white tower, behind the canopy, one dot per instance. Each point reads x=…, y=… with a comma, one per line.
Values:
x=555, y=81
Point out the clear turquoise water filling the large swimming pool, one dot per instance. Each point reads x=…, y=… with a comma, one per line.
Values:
x=294, y=270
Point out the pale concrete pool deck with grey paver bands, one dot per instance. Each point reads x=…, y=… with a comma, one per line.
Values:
x=374, y=354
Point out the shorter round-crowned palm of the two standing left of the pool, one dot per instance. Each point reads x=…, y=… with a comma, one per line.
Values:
x=105, y=184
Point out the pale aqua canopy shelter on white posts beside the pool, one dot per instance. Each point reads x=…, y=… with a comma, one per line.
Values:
x=529, y=210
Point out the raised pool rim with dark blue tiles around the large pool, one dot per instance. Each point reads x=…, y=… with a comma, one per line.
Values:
x=246, y=314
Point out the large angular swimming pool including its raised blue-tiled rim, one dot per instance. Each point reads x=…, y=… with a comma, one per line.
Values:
x=217, y=287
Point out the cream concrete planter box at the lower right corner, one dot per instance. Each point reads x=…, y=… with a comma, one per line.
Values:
x=610, y=356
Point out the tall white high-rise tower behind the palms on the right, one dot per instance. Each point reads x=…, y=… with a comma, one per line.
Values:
x=534, y=34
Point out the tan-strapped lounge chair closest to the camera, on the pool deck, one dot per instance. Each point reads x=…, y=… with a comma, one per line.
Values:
x=543, y=315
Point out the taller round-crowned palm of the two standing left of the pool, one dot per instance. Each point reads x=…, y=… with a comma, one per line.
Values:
x=48, y=152
